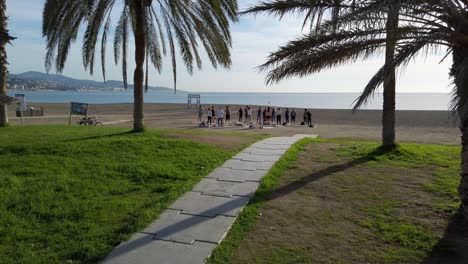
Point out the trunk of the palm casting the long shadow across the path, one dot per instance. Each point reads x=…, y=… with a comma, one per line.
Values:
x=388, y=118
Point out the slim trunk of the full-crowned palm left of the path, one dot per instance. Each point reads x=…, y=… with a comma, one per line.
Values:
x=138, y=77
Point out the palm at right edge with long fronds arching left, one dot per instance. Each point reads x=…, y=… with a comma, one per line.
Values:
x=362, y=31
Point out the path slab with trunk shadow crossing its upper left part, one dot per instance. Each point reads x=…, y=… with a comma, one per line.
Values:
x=182, y=228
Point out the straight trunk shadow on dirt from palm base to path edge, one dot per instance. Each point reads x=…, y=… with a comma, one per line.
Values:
x=291, y=187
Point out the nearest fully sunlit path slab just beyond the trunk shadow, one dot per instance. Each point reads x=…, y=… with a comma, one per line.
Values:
x=215, y=187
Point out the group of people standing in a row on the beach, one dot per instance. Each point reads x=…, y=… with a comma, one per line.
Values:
x=266, y=116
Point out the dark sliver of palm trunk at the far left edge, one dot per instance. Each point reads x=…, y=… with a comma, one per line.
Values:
x=3, y=64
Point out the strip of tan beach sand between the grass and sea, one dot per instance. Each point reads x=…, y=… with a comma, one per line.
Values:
x=436, y=127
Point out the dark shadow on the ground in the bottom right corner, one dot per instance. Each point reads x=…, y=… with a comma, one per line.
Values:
x=452, y=247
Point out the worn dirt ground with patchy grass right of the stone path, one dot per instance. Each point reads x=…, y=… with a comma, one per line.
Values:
x=333, y=209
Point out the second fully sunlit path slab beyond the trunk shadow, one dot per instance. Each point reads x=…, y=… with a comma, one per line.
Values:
x=228, y=174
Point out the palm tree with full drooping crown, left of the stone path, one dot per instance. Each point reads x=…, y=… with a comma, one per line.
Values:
x=158, y=26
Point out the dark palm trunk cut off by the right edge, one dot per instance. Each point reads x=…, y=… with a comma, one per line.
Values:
x=460, y=58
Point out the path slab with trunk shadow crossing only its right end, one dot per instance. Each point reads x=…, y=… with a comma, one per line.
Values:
x=203, y=205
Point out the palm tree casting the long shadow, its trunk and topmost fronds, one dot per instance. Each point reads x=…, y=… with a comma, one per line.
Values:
x=316, y=11
